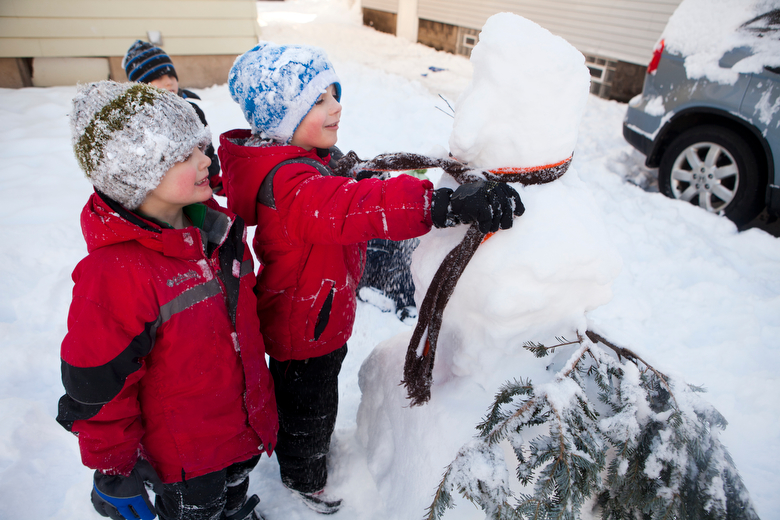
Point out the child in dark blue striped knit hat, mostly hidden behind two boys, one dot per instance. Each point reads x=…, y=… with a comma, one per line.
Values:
x=145, y=63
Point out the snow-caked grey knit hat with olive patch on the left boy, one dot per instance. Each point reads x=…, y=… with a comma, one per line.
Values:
x=126, y=136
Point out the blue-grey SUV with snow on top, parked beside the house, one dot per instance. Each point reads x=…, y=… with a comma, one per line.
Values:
x=716, y=144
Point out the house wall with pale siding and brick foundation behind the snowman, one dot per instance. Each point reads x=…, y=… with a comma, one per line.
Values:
x=616, y=36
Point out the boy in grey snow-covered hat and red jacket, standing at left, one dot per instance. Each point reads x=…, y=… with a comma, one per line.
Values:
x=163, y=364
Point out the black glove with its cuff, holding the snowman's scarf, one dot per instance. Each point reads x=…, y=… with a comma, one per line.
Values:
x=491, y=205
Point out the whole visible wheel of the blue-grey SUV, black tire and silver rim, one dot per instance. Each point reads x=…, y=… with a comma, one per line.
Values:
x=714, y=168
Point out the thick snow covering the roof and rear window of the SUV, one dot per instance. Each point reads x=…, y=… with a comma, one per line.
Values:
x=704, y=30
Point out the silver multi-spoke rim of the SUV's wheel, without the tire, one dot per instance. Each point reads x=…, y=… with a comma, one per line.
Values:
x=707, y=175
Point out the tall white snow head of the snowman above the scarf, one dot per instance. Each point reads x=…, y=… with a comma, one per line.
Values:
x=522, y=108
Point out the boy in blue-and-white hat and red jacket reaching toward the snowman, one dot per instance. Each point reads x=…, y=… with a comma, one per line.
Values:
x=312, y=229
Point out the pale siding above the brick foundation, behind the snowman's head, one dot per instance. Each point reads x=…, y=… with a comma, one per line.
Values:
x=618, y=29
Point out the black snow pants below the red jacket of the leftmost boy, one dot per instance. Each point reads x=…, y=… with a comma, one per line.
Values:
x=206, y=497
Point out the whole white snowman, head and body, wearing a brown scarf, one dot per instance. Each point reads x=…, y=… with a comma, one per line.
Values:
x=532, y=282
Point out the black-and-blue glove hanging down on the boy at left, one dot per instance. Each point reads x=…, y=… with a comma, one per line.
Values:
x=125, y=498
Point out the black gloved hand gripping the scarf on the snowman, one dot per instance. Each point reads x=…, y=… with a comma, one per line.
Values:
x=492, y=205
